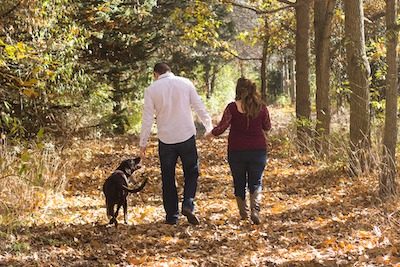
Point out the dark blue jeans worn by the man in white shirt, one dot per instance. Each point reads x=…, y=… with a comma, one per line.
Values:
x=169, y=154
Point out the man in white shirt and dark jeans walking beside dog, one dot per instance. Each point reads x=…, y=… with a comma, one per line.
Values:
x=171, y=99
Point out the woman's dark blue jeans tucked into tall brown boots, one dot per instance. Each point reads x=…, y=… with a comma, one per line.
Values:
x=247, y=168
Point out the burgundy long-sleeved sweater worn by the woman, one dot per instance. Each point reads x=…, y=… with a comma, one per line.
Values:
x=244, y=134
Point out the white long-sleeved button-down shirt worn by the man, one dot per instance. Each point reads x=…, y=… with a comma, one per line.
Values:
x=171, y=99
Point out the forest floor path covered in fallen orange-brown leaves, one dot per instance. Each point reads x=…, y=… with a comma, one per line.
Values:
x=313, y=215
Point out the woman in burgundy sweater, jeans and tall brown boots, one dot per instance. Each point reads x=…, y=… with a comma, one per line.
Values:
x=248, y=119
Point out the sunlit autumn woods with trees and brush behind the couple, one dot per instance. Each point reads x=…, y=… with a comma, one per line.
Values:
x=74, y=70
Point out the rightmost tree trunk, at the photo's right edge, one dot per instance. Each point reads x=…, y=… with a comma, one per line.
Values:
x=388, y=174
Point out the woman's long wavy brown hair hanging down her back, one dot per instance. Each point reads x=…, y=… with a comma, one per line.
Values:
x=246, y=91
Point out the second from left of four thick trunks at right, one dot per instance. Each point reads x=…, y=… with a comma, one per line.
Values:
x=323, y=13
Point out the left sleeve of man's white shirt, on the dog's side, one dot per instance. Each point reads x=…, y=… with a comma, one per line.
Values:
x=147, y=119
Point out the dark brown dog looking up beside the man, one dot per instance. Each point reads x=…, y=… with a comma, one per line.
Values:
x=116, y=189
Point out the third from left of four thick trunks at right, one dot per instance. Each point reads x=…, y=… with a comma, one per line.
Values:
x=358, y=71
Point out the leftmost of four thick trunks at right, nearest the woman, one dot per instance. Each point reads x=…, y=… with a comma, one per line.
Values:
x=303, y=105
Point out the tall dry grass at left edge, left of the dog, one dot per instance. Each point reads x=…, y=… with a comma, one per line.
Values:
x=28, y=176
